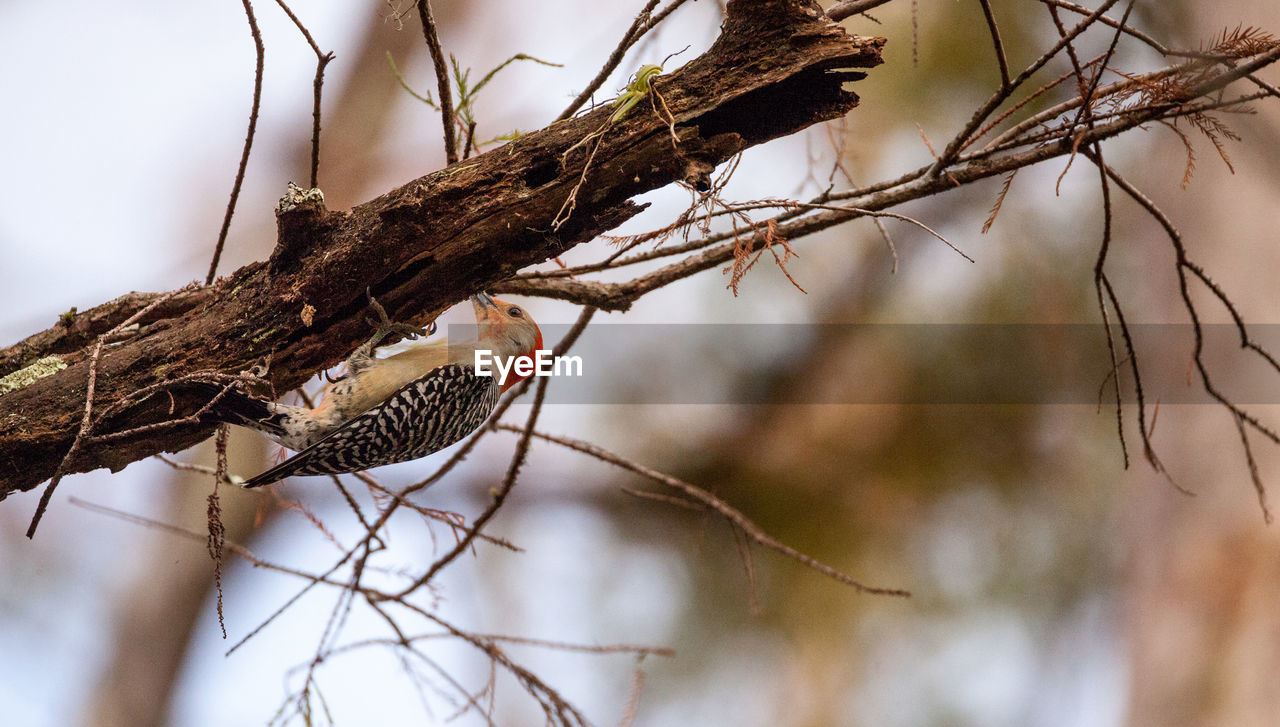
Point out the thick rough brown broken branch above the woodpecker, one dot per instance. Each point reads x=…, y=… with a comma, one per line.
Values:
x=775, y=70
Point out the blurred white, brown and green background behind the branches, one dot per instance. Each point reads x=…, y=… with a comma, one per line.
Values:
x=1052, y=586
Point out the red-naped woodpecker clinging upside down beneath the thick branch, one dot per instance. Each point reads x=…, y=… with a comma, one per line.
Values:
x=391, y=410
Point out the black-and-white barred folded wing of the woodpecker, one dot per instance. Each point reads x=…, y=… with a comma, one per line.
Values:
x=426, y=415
